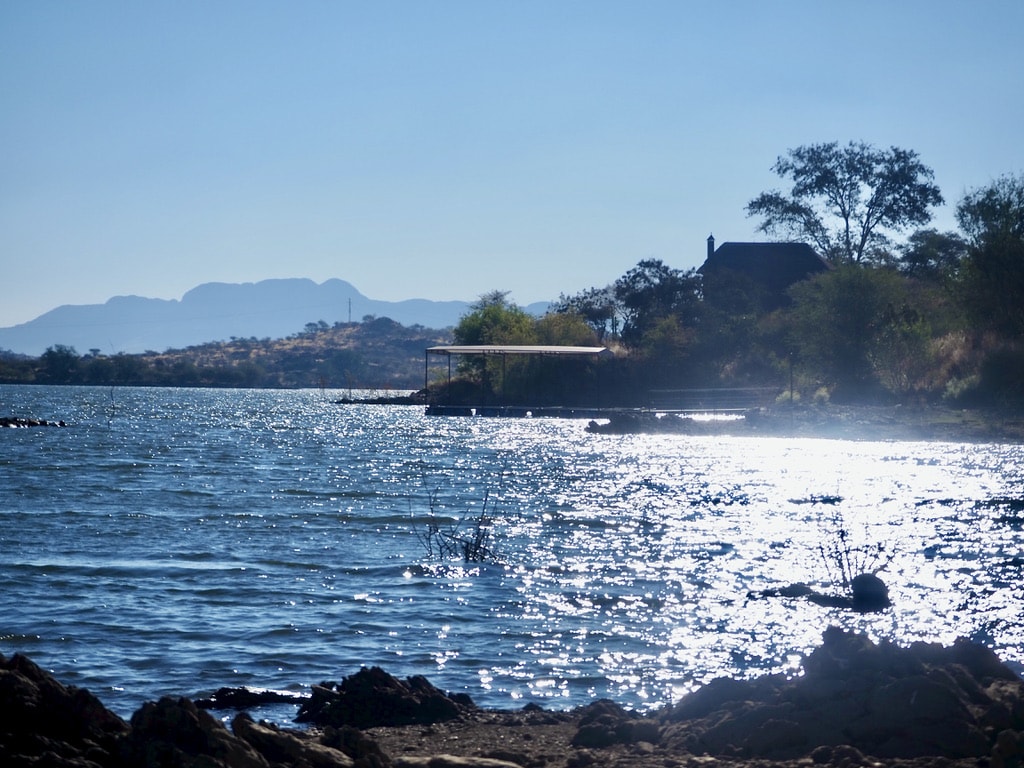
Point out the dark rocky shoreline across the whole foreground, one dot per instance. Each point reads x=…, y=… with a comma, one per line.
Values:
x=858, y=704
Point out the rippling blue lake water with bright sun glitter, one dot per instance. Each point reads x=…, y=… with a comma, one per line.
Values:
x=176, y=541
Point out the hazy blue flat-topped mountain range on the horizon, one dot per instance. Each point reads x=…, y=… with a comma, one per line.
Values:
x=218, y=312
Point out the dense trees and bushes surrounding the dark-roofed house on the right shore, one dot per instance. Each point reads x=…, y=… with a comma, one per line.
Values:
x=905, y=313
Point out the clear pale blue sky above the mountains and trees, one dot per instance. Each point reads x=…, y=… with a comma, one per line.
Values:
x=448, y=149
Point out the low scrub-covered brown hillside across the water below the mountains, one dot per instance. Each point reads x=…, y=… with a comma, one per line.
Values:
x=378, y=354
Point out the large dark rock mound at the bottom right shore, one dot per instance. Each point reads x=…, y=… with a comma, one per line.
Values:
x=879, y=700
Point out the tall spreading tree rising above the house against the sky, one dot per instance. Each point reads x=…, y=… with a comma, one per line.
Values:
x=844, y=199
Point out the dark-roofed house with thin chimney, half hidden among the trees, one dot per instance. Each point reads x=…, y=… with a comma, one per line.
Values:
x=763, y=272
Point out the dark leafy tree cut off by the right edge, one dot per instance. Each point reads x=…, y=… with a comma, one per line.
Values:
x=993, y=220
